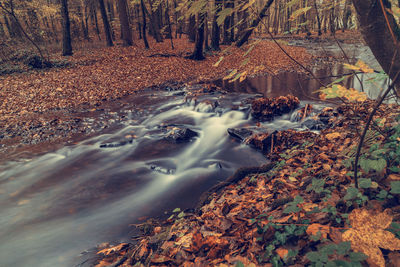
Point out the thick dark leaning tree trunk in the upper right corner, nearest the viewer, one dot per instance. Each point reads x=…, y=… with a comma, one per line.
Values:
x=376, y=33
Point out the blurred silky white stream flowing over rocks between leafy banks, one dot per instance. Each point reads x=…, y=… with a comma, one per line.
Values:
x=55, y=206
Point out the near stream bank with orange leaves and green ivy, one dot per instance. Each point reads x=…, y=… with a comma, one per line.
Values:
x=304, y=211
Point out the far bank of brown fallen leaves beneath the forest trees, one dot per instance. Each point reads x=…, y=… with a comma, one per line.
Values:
x=28, y=100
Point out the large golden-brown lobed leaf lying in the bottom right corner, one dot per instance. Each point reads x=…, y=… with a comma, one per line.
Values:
x=368, y=234
